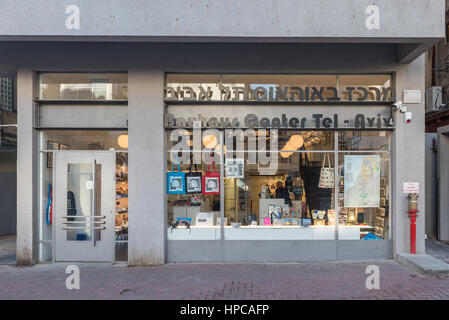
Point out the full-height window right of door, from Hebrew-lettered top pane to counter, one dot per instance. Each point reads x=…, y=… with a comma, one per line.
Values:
x=288, y=173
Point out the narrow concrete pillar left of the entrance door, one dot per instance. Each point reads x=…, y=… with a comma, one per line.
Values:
x=26, y=170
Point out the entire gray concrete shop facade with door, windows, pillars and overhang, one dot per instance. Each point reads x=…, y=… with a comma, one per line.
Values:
x=257, y=132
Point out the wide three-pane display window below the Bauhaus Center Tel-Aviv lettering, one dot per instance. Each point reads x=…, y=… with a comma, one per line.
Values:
x=279, y=184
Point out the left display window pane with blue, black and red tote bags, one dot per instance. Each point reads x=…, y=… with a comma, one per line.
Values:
x=193, y=186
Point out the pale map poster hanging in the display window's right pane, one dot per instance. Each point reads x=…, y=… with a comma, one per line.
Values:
x=362, y=181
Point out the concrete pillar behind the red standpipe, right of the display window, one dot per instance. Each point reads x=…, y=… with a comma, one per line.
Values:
x=408, y=161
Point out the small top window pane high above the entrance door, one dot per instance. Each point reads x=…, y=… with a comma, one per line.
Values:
x=83, y=86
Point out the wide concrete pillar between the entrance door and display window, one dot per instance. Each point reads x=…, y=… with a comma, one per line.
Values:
x=146, y=162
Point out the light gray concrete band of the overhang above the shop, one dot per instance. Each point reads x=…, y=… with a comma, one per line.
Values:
x=315, y=20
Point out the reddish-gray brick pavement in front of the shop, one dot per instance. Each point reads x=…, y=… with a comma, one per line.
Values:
x=326, y=280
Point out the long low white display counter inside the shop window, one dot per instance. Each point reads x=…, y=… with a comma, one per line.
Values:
x=265, y=233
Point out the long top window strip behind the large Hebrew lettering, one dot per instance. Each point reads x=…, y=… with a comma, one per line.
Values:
x=270, y=87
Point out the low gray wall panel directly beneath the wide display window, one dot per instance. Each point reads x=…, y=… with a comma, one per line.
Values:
x=269, y=251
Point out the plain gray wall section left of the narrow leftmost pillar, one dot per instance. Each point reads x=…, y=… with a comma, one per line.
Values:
x=8, y=202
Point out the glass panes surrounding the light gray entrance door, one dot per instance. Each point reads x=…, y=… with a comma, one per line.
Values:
x=94, y=140
